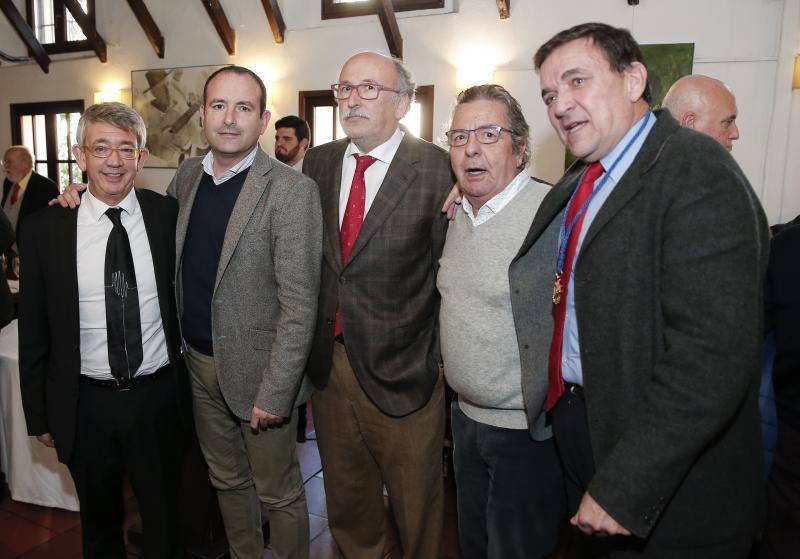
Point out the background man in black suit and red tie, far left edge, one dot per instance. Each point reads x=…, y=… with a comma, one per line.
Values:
x=24, y=191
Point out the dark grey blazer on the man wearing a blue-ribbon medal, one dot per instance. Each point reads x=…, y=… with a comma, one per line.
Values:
x=668, y=295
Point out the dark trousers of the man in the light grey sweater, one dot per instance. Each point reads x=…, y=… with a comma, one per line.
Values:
x=510, y=491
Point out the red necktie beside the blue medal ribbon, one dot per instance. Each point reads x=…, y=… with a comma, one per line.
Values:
x=556, y=387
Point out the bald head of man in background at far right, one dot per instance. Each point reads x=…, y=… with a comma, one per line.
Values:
x=706, y=105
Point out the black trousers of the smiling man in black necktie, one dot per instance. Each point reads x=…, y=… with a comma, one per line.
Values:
x=134, y=432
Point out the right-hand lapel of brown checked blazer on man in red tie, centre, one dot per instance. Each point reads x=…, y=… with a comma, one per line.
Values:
x=399, y=177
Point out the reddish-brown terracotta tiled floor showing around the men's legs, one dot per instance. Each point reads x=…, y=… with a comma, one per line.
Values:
x=34, y=532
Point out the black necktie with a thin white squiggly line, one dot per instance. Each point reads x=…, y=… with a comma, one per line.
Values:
x=124, y=328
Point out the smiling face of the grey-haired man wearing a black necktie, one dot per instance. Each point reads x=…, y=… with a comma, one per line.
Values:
x=110, y=178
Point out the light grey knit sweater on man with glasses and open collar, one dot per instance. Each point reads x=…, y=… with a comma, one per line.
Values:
x=478, y=338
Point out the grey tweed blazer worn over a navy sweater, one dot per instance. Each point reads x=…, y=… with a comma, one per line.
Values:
x=265, y=294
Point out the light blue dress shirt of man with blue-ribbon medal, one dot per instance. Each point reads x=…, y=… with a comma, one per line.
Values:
x=571, y=368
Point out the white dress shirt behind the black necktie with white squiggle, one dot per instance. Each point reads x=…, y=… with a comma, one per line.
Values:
x=94, y=228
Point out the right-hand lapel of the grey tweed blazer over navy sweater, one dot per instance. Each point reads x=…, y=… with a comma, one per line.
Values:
x=252, y=190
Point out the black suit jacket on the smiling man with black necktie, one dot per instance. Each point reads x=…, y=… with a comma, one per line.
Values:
x=49, y=333
